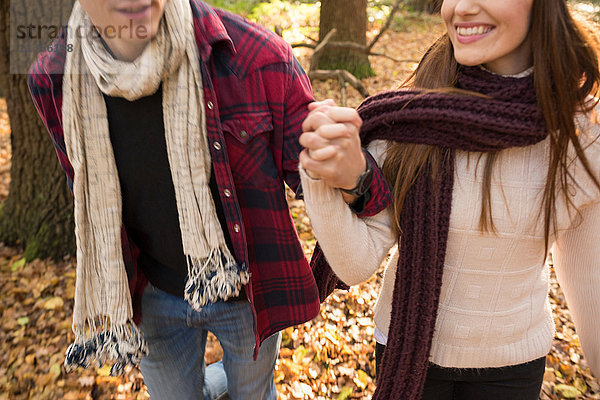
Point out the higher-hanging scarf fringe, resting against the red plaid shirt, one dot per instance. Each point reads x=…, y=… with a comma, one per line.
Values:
x=218, y=277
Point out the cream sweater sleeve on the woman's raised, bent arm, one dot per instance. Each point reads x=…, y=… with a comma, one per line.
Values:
x=354, y=247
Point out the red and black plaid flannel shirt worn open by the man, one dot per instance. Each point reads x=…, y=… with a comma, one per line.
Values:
x=256, y=97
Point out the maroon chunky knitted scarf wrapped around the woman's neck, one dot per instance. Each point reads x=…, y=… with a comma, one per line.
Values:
x=510, y=117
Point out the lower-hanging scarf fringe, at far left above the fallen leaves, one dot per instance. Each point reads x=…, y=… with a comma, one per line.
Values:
x=121, y=344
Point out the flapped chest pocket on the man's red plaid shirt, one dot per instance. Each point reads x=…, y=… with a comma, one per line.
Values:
x=248, y=137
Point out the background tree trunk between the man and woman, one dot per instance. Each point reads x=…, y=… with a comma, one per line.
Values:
x=349, y=18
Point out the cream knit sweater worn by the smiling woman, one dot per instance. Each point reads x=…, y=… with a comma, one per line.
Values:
x=494, y=309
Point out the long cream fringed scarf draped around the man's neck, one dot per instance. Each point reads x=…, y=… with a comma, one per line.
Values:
x=102, y=315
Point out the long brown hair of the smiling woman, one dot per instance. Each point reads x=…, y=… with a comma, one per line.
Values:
x=566, y=73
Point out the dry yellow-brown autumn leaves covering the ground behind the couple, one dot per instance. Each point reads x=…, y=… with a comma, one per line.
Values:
x=330, y=357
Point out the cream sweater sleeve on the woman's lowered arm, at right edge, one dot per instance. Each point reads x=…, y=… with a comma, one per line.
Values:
x=576, y=255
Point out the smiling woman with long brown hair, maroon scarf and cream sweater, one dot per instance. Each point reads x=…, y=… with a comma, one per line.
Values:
x=493, y=153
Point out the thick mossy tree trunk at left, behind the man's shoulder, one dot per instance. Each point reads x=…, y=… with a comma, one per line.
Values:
x=38, y=213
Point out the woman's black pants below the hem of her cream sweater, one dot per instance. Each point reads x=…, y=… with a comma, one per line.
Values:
x=515, y=382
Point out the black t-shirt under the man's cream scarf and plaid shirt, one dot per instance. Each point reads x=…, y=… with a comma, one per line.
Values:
x=149, y=208
